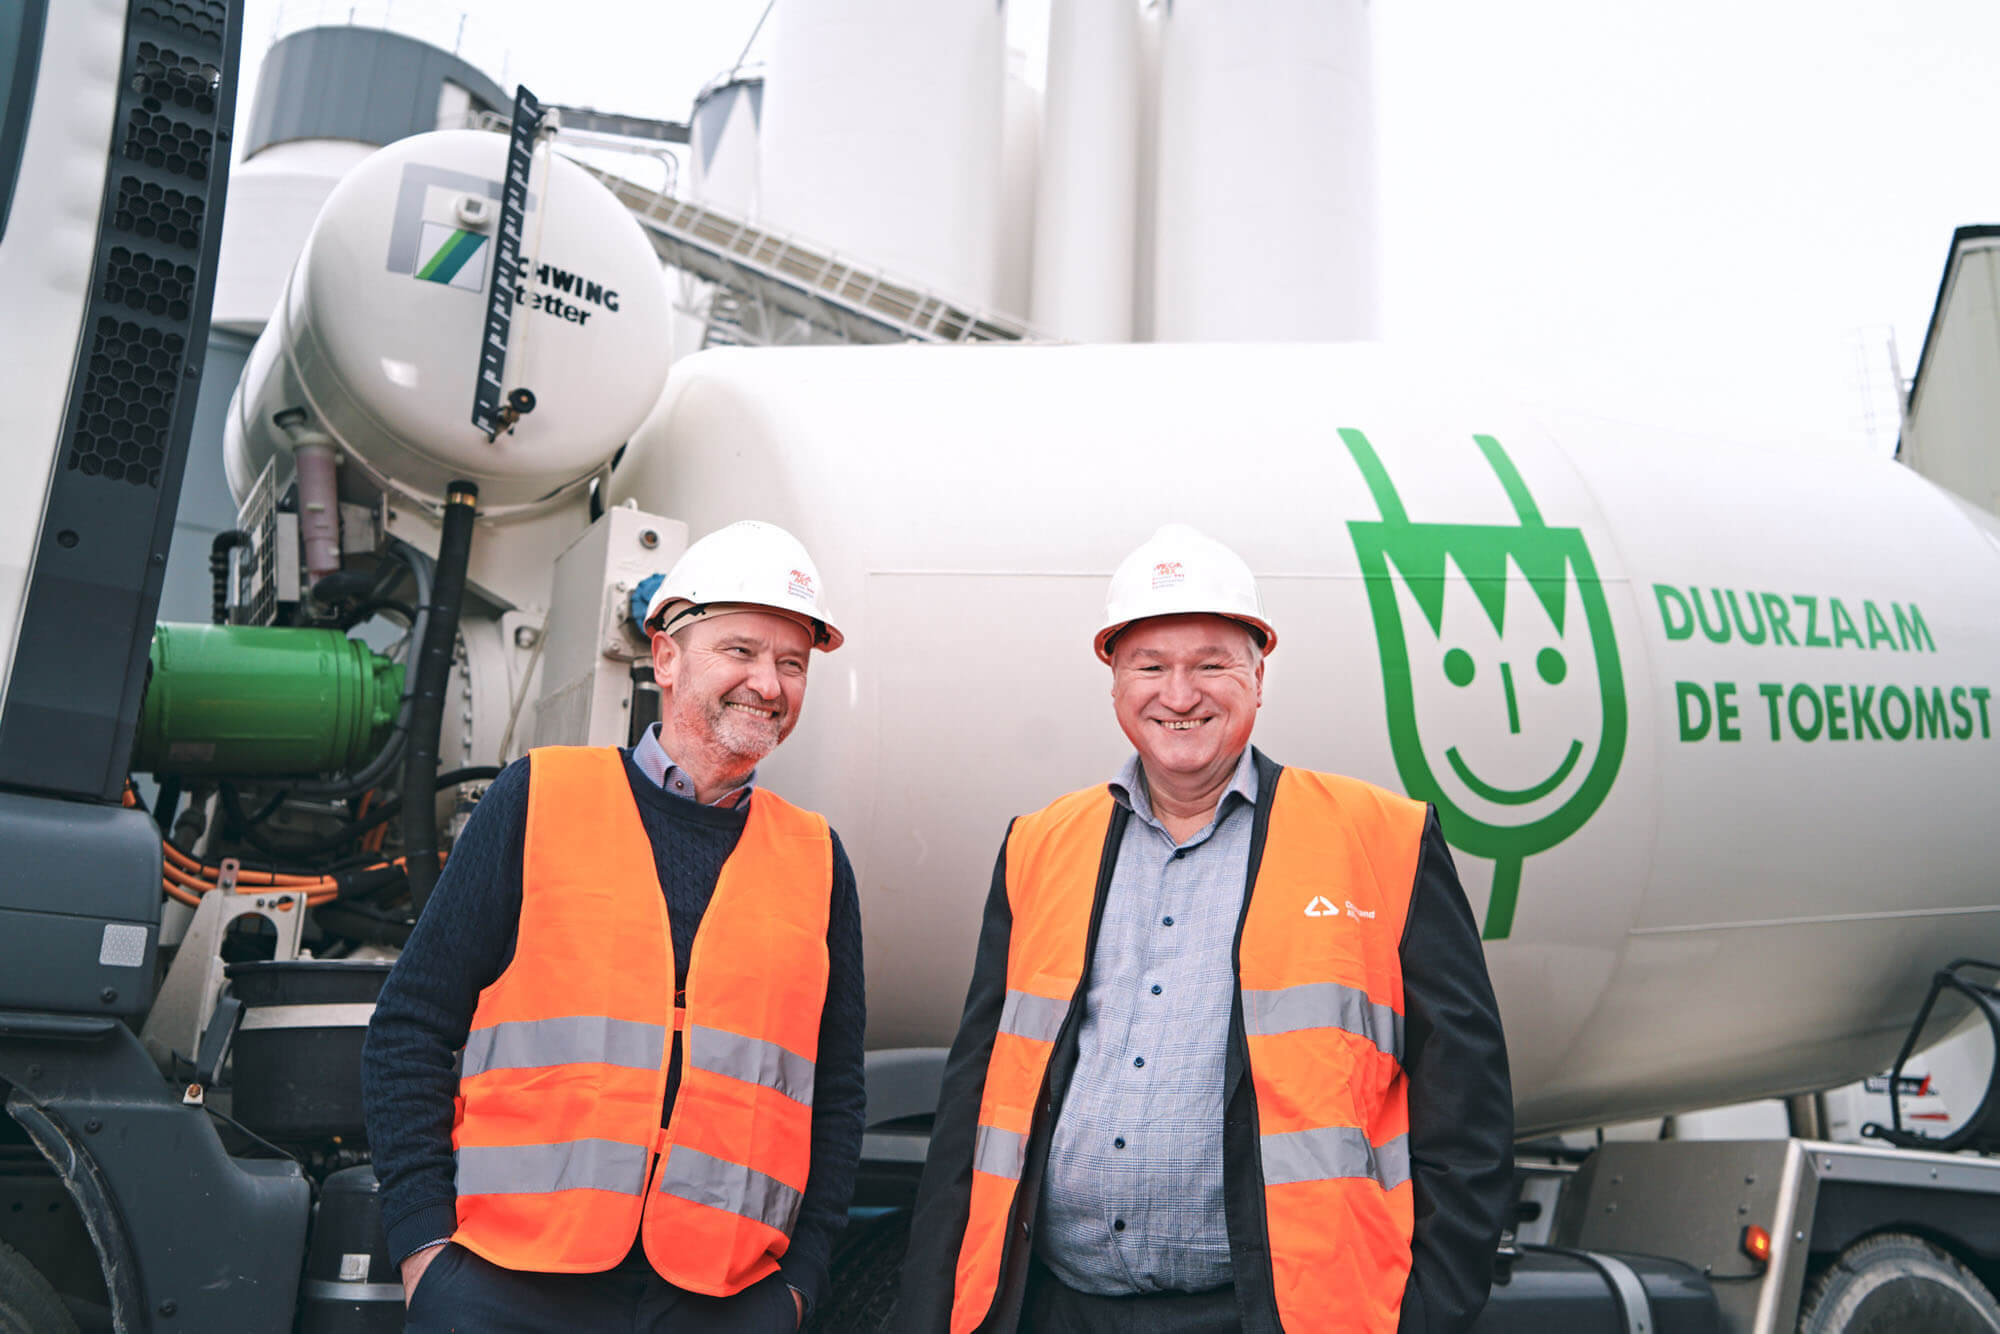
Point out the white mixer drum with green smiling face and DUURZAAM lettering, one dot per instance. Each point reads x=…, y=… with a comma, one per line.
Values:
x=1725, y=919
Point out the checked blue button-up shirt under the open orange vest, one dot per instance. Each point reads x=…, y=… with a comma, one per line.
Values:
x=1133, y=1197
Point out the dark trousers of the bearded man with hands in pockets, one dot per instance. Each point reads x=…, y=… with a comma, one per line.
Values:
x=463, y=1293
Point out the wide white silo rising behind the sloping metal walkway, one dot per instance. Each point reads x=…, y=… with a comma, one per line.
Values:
x=881, y=135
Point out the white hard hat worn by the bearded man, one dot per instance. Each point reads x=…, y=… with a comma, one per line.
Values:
x=745, y=565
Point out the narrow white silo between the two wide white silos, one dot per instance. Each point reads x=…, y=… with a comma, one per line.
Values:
x=1087, y=197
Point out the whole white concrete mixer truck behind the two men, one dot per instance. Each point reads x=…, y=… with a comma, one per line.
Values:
x=1711, y=731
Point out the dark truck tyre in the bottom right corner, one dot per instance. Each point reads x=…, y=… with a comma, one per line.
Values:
x=1895, y=1283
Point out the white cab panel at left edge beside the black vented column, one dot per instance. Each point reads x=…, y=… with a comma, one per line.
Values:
x=51, y=239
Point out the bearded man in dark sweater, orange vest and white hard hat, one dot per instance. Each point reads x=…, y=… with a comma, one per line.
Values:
x=615, y=1081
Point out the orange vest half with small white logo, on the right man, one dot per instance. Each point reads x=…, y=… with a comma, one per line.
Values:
x=1323, y=1025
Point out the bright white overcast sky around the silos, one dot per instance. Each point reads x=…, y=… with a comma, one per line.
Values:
x=1675, y=215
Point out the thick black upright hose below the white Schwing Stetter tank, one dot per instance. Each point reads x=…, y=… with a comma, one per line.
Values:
x=427, y=703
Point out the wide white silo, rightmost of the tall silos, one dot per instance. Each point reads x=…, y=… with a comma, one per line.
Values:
x=1265, y=197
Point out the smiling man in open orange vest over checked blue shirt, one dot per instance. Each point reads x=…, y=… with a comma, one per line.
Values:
x=1229, y=1057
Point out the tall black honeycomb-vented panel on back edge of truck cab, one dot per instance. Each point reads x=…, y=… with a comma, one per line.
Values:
x=81, y=659
